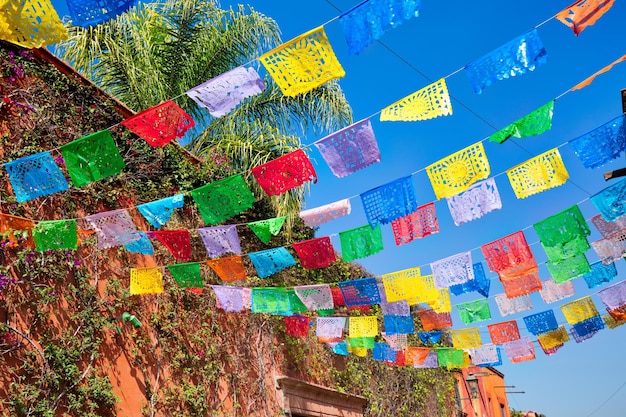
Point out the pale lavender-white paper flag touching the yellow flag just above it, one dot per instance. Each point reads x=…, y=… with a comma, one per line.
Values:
x=480, y=199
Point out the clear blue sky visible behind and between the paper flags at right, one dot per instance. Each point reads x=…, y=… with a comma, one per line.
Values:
x=579, y=378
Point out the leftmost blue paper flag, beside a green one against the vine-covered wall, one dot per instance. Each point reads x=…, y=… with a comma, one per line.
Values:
x=35, y=176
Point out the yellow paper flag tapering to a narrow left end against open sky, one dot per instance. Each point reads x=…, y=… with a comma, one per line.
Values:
x=429, y=102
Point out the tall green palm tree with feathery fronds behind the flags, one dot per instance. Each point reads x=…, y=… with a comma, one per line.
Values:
x=158, y=51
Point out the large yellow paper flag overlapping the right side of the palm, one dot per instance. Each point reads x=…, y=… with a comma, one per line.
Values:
x=303, y=64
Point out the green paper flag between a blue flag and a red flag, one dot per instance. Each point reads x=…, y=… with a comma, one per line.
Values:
x=91, y=158
